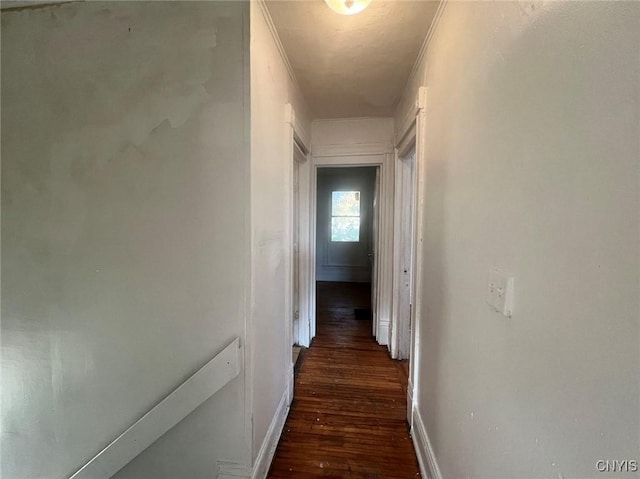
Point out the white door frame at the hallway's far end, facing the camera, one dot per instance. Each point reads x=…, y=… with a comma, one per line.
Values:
x=371, y=154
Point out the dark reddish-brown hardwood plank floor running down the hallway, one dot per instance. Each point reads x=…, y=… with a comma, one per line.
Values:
x=348, y=416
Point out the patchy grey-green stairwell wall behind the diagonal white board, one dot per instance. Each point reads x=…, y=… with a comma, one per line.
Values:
x=125, y=185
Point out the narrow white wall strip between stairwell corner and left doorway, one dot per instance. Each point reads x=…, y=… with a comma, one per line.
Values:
x=271, y=210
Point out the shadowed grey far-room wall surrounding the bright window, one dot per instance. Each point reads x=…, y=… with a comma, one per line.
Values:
x=338, y=261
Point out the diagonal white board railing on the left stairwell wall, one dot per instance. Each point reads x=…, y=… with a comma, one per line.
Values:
x=170, y=411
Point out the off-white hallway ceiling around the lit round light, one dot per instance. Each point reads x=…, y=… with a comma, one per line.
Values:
x=352, y=66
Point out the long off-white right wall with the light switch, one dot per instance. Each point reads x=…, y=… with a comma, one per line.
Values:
x=531, y=166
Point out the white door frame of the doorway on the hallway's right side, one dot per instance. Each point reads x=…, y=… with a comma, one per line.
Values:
x=413, y=132
